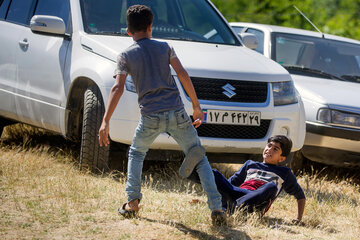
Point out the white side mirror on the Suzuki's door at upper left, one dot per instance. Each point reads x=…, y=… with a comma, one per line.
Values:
x=47, y=24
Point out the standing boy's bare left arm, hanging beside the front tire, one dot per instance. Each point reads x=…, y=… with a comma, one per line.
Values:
x=114, y=97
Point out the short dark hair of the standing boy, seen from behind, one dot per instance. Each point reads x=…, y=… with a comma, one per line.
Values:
x=139, y=18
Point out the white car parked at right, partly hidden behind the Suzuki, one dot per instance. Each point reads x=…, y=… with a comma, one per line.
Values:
x=326, y=72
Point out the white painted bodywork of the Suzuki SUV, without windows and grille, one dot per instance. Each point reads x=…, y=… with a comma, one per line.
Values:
x=51, y=73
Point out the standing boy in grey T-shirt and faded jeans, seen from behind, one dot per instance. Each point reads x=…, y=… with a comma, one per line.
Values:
x=162, y=110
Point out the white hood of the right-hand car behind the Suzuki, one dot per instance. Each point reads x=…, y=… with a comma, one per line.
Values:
x=327, y=91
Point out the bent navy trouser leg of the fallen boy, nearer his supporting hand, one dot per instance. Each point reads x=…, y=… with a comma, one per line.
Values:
x=258, y=199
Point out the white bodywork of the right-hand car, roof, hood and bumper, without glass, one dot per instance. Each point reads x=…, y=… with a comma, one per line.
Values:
x=332, y=142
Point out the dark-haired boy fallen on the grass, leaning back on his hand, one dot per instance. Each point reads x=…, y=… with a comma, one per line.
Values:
x=256, y=185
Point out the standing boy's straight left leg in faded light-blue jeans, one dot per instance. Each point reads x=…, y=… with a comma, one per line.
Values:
x=145, y=134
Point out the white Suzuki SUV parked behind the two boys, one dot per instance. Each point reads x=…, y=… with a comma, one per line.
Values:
x=57, y=61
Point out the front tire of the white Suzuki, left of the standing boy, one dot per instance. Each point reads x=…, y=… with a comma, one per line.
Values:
x=92, y=156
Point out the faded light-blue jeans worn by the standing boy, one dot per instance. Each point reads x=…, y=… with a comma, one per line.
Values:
x=178, y=124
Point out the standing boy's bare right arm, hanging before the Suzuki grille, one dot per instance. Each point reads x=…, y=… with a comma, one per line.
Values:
x=185, y=80
